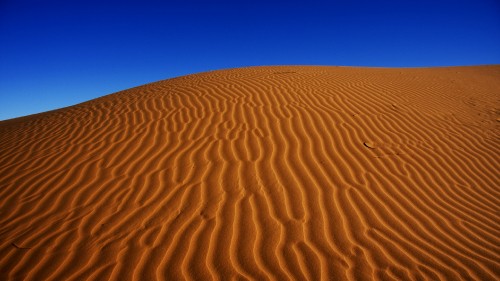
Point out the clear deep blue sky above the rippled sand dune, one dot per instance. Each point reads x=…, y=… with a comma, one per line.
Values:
x=58, y=53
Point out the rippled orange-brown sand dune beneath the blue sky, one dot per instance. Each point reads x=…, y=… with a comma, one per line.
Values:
x=260, y=173
